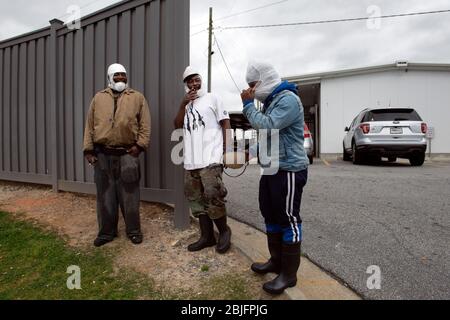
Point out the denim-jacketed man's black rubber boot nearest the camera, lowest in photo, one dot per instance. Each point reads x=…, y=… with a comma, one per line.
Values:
x=290, y=261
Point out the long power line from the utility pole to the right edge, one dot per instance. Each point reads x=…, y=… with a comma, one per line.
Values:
x=334, y=21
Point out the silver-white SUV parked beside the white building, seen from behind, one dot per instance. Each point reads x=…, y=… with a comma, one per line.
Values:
x=389, y=132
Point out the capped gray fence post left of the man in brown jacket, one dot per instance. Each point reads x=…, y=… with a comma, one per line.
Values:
x=55, y=24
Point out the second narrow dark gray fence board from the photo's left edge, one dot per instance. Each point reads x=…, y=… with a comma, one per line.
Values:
x=15, y=108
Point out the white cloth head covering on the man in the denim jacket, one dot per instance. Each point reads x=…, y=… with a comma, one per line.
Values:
x=267, y=75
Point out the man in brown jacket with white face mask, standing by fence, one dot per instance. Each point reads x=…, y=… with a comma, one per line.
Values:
x=117, y=131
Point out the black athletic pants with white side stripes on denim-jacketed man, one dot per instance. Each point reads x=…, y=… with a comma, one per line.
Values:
x=280, y=198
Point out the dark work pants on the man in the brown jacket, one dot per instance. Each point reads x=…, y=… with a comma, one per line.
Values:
x=117, y=180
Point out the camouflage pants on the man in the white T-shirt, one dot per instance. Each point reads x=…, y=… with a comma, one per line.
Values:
x=206, y=192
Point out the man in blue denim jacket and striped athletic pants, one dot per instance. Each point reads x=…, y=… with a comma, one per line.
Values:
x=280, y=192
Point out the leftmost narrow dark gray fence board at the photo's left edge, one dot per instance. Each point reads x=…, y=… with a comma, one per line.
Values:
x=7, y=110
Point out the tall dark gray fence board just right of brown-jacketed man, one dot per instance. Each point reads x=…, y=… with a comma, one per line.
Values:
x=152, y=91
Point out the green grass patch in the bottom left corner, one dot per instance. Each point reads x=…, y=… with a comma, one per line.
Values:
x=34, y=262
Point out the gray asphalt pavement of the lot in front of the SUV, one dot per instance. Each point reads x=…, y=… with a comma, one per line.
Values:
x=391, y=216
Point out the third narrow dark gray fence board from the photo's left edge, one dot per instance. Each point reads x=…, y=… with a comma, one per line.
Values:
x=31, y=106
